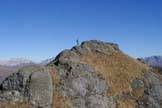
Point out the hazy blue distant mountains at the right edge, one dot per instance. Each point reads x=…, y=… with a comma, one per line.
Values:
x=154, y=61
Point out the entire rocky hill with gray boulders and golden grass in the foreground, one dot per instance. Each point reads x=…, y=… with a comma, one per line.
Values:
x=94, y=74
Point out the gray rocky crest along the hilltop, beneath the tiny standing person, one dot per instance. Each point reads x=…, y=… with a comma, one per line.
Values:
x=92, y=46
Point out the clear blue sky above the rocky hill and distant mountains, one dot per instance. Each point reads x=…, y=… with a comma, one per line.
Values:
x=40, y=29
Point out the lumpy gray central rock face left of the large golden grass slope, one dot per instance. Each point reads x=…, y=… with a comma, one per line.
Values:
x=80, y=81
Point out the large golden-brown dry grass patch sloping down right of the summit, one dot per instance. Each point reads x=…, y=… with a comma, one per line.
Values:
x=119, y=70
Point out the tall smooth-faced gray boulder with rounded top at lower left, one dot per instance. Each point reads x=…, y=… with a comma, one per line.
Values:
x=41, y=89
